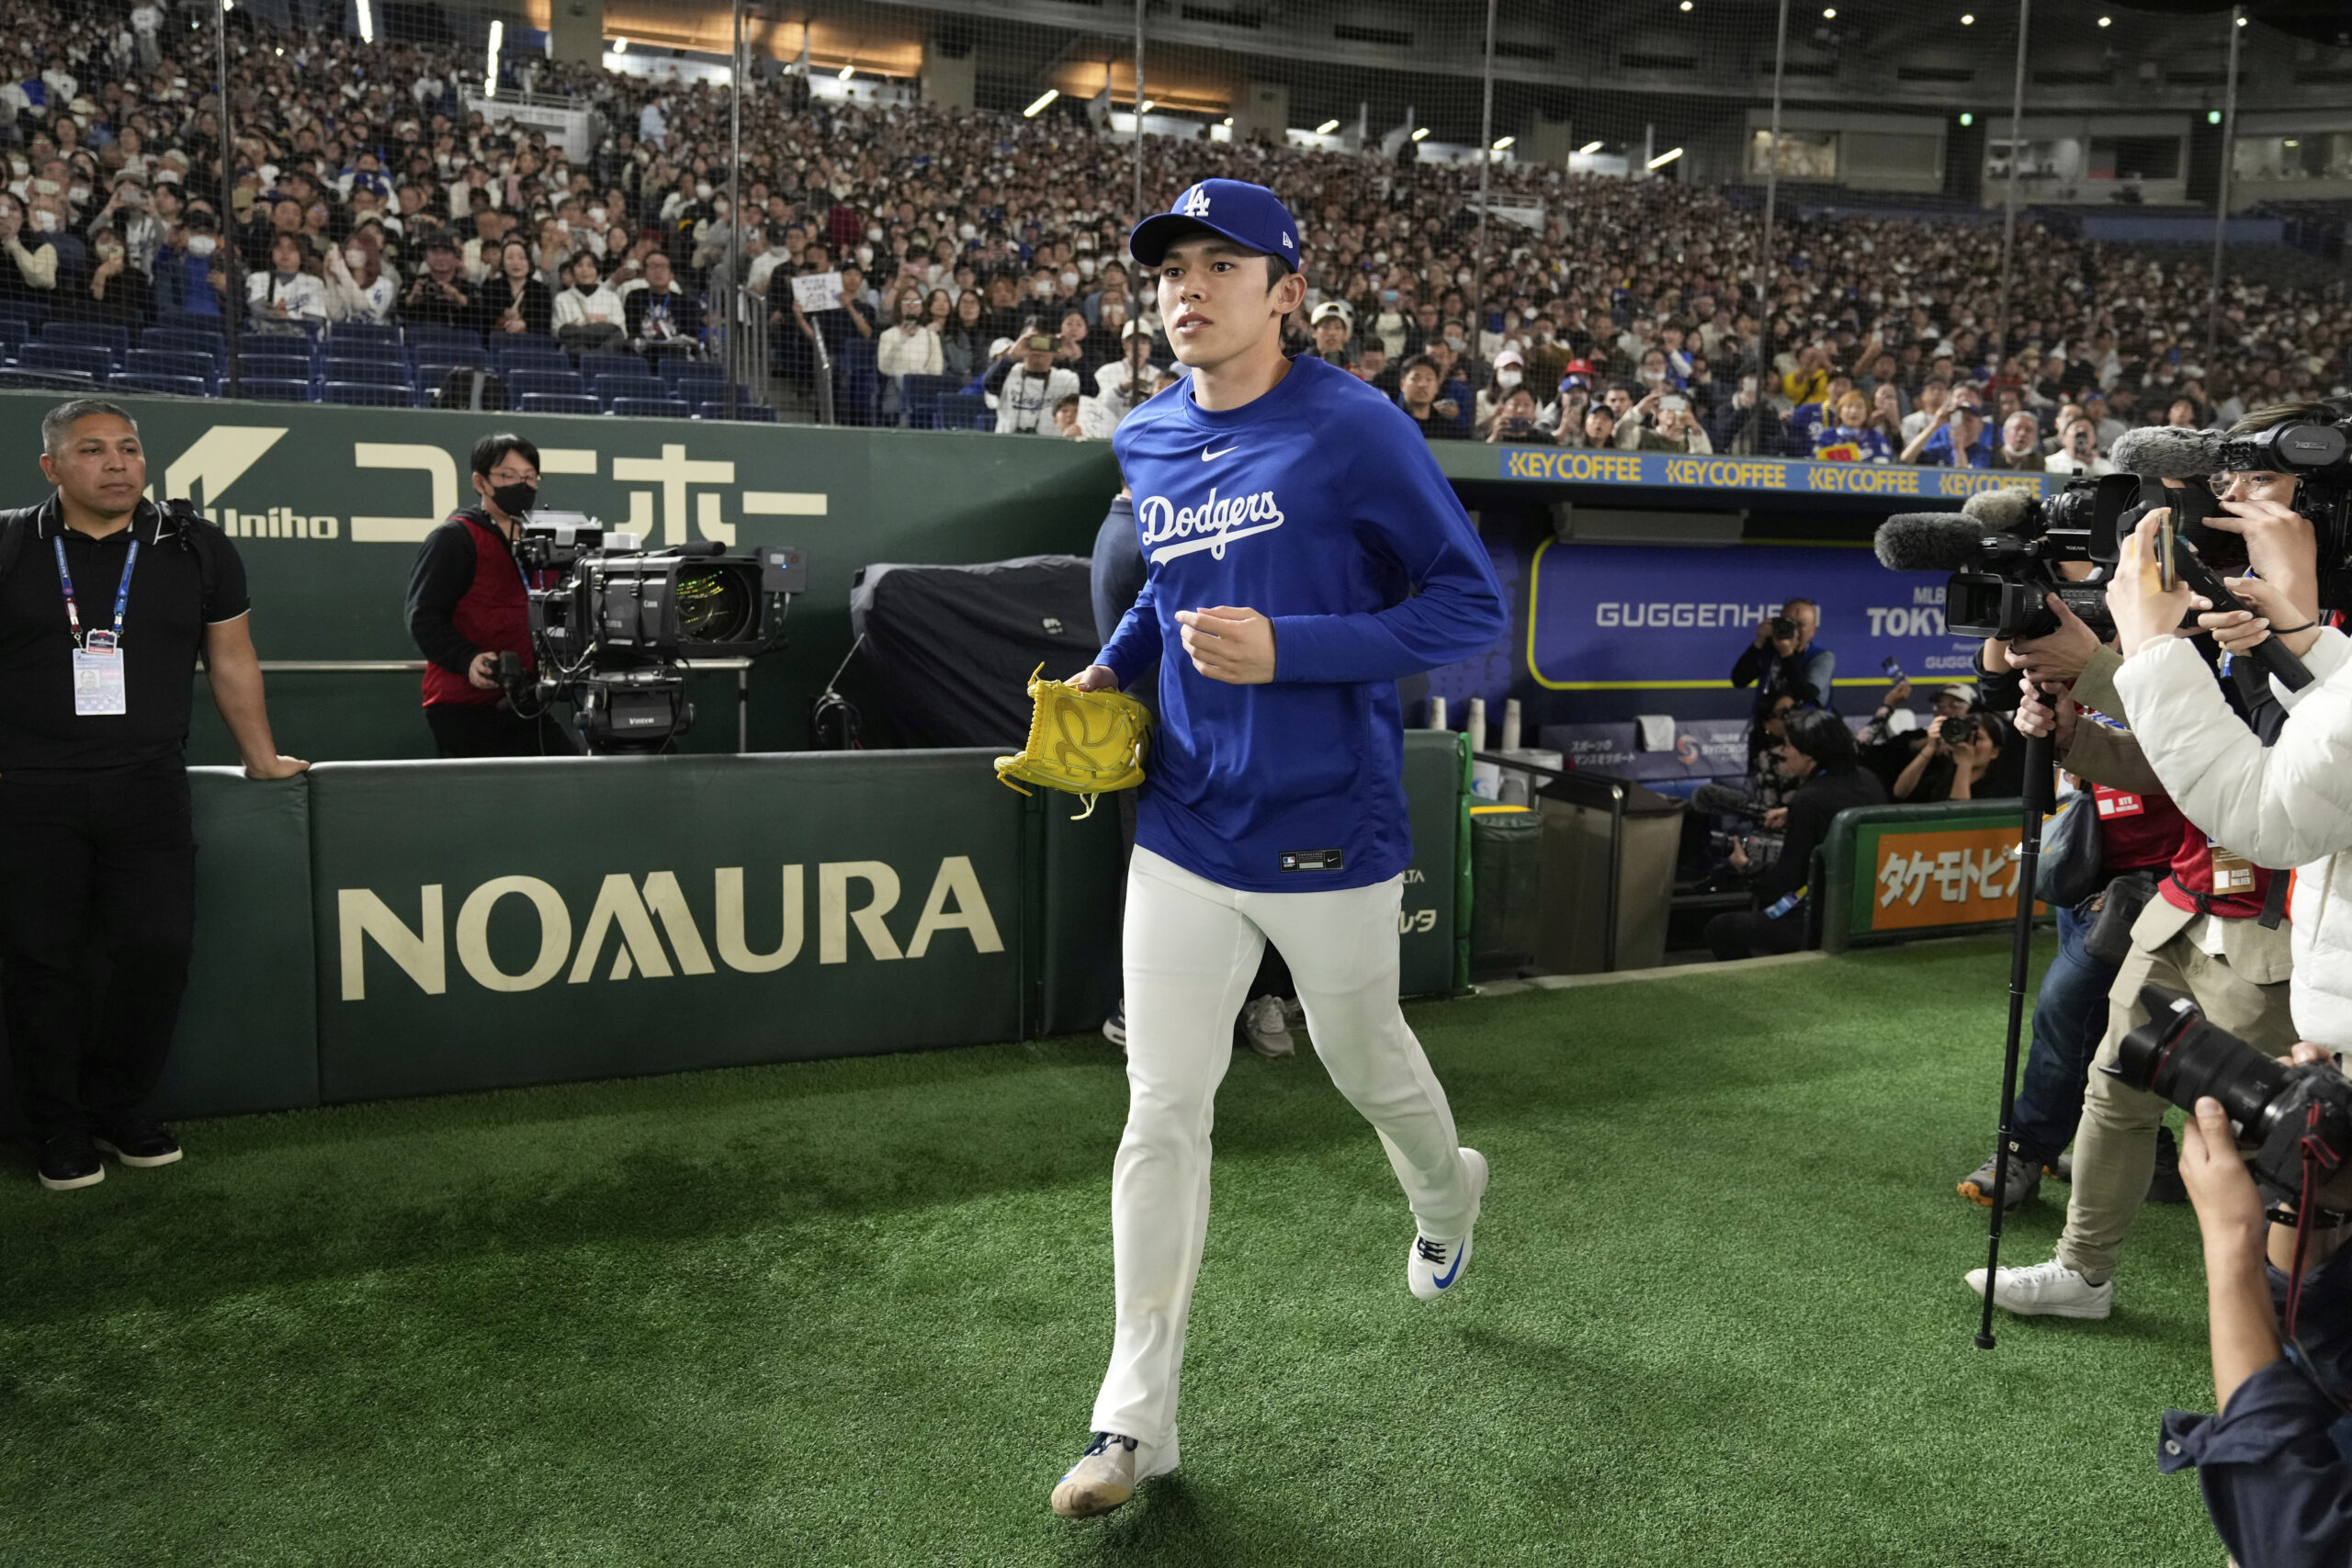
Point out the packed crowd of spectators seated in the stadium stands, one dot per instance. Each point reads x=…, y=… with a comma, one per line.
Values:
x=991, y=253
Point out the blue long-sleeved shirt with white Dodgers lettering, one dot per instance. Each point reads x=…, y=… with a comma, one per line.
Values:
x=1321, y=509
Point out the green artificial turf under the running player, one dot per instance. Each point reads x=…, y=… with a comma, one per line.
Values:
x=855, y=1313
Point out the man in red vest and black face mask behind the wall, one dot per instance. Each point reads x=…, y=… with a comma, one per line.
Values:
x=469, y=605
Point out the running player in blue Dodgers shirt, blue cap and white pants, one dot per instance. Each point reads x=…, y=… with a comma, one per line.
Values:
x=1304, y=556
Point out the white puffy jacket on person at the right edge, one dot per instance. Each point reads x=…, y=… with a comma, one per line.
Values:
x=2287, y=805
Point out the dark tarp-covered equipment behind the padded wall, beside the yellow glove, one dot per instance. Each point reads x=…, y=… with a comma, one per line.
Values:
x=954, y=648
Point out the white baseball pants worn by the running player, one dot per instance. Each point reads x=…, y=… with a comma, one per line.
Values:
x=1194, y=949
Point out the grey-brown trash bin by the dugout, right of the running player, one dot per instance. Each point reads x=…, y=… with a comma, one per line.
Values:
x=1608, y=873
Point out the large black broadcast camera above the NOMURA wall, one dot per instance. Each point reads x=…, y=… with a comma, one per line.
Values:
x=620, y=629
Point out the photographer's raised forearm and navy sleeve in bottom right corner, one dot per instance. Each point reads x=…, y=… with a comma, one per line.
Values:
x=2276, y=1480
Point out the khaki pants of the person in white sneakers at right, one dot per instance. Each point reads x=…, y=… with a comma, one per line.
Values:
x=2116, y=1146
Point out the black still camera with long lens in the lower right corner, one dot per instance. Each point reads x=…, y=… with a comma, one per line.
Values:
x=2278, y=1108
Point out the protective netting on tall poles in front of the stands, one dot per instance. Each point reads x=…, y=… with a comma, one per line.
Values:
x=857, y=210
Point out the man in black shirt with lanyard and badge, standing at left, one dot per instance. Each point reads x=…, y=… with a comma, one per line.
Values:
x=105, y=608
